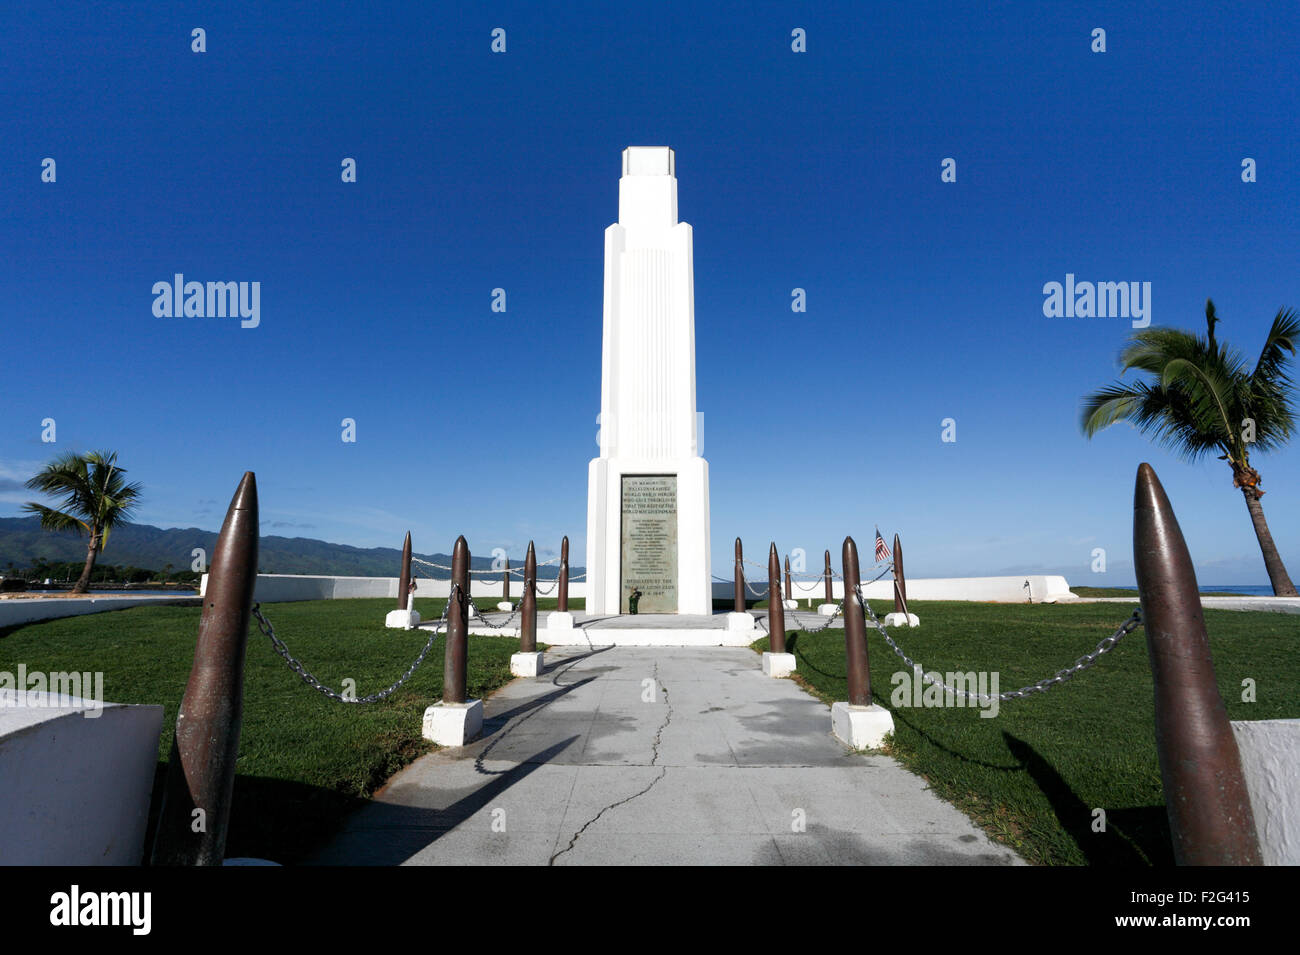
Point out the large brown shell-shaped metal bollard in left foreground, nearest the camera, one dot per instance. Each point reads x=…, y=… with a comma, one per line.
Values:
x=202, y=770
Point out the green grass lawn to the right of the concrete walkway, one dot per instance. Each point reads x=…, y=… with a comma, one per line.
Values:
x=1033, y=775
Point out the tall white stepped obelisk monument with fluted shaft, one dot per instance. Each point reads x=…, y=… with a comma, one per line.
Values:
x=648, y=493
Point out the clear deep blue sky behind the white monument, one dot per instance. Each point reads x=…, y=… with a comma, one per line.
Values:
x=479, y=171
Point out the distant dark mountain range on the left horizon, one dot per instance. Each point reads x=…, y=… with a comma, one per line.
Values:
x=145, y=546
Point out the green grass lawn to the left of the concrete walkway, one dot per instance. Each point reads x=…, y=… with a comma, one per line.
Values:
x=305, y=761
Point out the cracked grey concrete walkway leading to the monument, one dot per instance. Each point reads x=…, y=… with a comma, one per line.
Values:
x=626, y=756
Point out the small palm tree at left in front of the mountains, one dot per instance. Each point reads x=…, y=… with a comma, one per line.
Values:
x=96, y=501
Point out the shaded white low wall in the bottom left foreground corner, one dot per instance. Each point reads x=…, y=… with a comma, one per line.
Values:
x=76, y=789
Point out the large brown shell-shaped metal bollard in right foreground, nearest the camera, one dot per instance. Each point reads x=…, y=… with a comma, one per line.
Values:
x=1210, y=809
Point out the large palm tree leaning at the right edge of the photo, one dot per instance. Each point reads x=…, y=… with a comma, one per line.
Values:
x=1204, y=398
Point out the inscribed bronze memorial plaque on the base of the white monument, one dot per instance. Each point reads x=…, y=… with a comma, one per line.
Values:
x=649, y=544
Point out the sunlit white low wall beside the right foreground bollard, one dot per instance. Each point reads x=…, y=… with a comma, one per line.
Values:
x=1271, y=761
